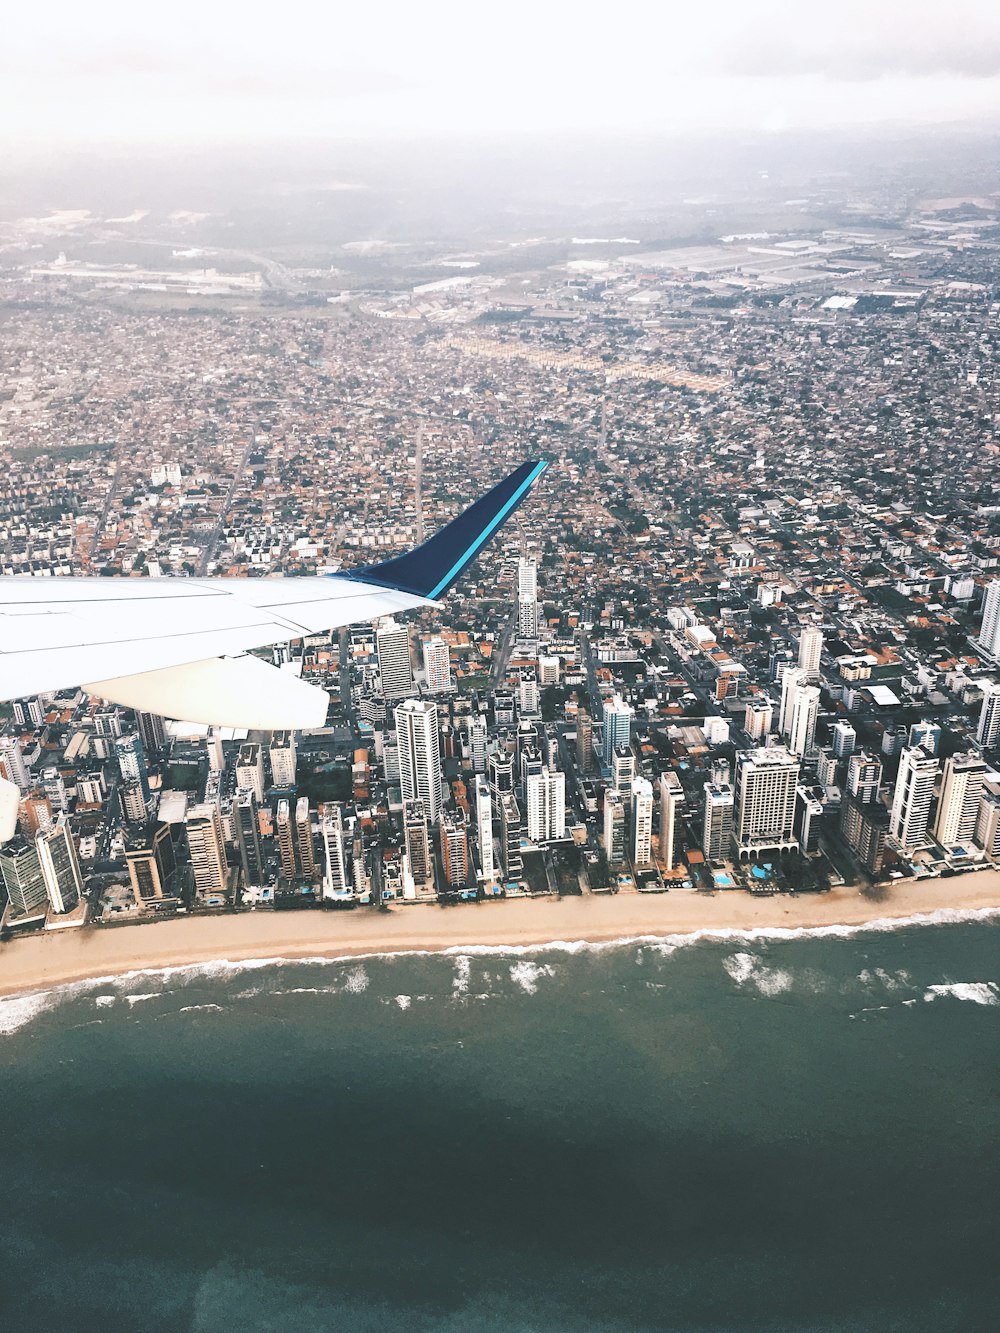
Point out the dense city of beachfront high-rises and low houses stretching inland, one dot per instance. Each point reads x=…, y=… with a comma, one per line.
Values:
x=745, y=637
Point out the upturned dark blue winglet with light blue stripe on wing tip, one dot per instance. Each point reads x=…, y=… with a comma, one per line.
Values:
x=431, y=569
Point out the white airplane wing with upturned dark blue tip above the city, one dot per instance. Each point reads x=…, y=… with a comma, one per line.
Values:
x=177, y=647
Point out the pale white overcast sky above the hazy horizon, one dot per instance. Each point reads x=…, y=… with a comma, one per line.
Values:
x=193, y=70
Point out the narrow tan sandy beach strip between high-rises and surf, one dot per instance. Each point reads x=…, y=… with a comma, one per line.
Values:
x=62, y=958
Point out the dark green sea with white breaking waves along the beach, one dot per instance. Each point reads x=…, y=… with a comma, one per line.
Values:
x=727, y=1135
